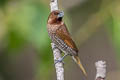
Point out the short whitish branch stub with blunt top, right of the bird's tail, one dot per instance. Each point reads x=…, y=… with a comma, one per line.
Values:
x=101, y=70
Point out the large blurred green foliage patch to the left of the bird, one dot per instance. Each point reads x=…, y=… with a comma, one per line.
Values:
x=25, y=22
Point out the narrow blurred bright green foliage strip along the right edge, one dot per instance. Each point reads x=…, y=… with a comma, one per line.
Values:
x=115, y=11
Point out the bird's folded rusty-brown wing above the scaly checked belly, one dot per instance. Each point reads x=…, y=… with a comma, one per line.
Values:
x=62, y=33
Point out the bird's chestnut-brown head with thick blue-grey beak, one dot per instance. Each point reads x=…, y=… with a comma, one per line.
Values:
x=55, y=16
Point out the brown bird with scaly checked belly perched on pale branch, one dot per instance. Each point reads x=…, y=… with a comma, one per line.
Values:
x=61, y=37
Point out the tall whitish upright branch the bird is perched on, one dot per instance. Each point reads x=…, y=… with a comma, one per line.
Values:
x=56, y=51
